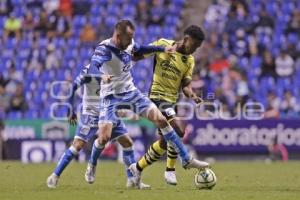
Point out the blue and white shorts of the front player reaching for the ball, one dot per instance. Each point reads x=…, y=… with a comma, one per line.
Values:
x=132, y=100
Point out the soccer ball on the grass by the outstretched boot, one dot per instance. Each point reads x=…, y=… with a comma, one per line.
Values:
x=205, y=179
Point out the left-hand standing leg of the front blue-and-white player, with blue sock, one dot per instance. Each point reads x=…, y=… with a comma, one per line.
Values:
x=104, y=135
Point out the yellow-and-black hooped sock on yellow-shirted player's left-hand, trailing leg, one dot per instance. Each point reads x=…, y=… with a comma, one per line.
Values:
x=153, y=154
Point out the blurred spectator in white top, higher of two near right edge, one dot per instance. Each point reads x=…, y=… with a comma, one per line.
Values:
x=284, y=64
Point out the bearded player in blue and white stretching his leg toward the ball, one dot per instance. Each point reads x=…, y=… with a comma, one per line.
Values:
x=113, y=58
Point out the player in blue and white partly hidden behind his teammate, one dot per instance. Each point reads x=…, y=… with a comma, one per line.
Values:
x=88, y=126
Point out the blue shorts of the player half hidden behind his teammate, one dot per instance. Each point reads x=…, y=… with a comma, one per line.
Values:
x=88, y=125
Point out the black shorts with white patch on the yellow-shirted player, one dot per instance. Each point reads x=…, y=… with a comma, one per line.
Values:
x=169, y=110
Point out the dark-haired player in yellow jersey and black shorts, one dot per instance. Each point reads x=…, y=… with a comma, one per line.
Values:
x=172, y=72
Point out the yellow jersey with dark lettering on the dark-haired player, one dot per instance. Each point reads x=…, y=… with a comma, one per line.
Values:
x=169, y=71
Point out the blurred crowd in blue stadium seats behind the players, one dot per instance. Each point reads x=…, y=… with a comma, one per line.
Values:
x=251, y=53
